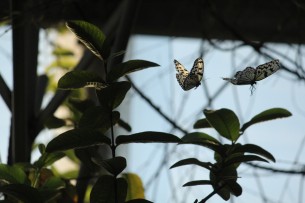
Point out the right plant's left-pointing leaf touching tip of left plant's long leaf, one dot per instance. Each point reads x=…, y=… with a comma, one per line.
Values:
x=202, y=139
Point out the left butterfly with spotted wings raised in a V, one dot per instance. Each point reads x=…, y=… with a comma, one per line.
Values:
x=189, y=80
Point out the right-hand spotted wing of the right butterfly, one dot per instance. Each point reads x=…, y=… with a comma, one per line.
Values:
x=267, y=69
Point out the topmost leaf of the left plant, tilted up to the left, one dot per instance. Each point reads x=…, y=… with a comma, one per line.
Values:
x=90, y=35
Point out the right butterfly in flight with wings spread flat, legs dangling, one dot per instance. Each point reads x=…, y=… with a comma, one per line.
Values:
x=249, y=76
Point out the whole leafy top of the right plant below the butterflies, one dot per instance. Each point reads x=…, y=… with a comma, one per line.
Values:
x=228, y=157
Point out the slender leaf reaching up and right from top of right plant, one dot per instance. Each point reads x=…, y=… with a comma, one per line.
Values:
x=267, y=115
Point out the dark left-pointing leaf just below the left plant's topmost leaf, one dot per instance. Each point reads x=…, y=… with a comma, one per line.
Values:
x=78, y=79
